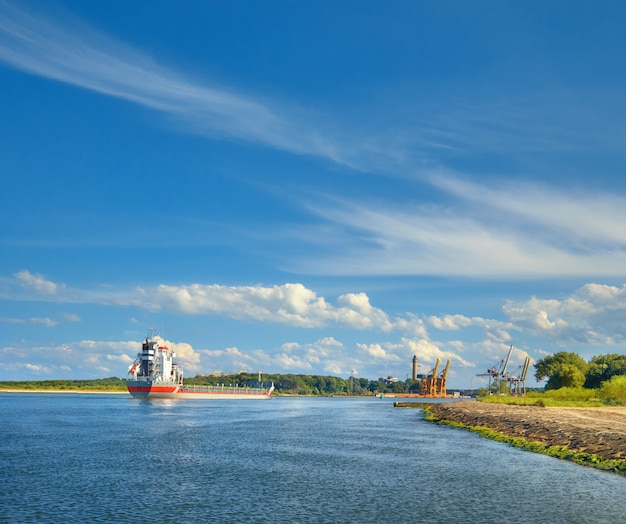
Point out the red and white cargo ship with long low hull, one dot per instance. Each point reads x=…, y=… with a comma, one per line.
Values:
x=155, y=374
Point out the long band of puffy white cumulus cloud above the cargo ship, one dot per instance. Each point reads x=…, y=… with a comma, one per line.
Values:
x=290, y=303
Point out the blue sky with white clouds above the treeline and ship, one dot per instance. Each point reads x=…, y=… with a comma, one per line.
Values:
x=310, y=187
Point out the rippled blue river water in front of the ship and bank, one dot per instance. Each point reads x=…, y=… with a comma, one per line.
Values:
x=111, y=458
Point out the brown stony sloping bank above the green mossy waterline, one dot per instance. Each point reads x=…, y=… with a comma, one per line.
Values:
x=599, y=431
